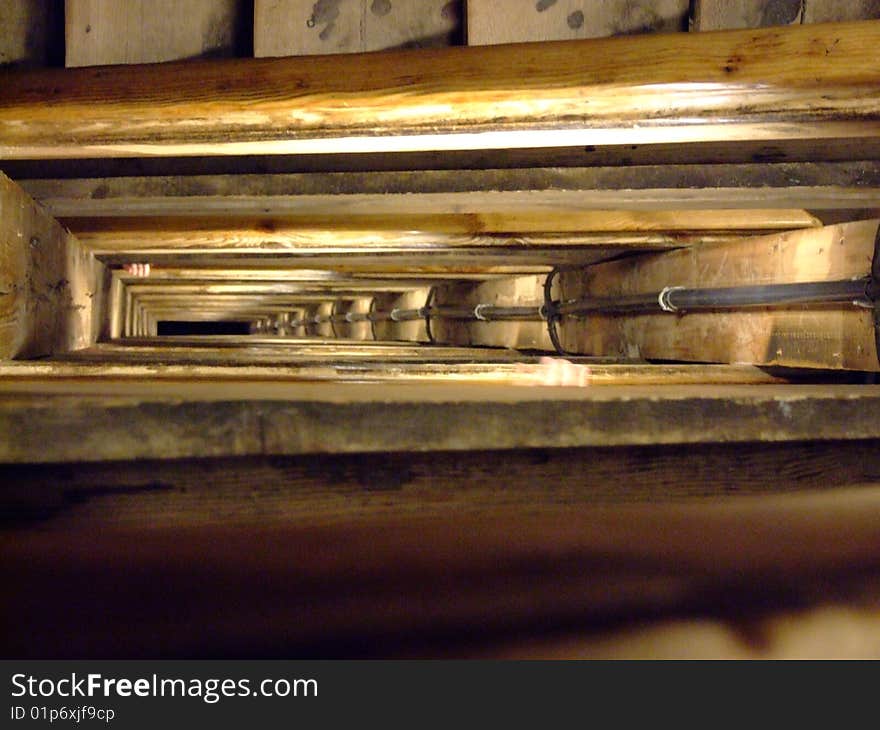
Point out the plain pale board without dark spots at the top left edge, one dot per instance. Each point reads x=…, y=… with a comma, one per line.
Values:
x=101, y=32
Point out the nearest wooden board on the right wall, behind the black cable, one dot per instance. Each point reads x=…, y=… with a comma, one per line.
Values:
x=830, y=336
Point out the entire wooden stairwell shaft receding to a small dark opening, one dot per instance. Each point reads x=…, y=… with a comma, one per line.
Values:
x=274, y=332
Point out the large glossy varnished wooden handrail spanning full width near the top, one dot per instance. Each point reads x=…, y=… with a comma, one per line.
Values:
x=492, y=97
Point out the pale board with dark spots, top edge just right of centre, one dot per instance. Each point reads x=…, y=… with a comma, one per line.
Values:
x=489, y=22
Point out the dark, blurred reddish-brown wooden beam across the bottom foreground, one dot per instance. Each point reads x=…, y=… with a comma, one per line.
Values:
x=464, y=564
